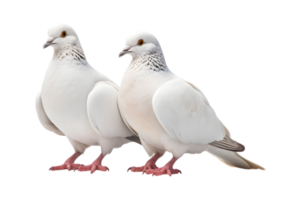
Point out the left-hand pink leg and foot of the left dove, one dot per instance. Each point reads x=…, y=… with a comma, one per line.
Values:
x=69, y=164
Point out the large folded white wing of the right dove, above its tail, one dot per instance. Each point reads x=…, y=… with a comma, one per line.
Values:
x=186, y=113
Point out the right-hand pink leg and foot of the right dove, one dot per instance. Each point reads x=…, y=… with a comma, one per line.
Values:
x=168, y=169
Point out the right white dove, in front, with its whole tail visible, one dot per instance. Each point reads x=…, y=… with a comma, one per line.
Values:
x=169, y=113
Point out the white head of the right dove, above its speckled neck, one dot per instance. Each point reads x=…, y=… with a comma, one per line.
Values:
x=139, y=42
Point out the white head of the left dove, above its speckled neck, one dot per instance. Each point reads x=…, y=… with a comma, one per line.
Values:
x=59, y=35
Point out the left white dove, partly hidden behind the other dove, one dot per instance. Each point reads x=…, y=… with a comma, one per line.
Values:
x=78, y=103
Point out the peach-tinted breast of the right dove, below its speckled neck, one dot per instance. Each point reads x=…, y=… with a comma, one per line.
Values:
x=135, y=103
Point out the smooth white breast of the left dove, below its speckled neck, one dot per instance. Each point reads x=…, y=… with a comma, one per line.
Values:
x=64, y=96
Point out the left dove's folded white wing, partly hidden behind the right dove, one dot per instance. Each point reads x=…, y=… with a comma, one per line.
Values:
x=103, y=111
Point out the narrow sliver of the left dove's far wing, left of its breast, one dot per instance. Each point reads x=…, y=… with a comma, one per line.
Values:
x=43, y=119
